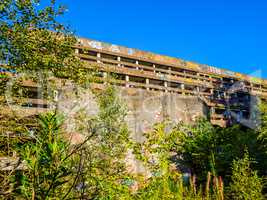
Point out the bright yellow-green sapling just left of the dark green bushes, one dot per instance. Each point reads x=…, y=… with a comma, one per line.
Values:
x=165, y=181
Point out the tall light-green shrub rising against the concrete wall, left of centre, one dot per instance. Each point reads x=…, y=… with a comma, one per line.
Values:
x=104, y=172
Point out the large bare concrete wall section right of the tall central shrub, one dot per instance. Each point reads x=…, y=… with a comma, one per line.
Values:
x=147, y=108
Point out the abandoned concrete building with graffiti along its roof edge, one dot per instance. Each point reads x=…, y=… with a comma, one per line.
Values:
x=157, y=87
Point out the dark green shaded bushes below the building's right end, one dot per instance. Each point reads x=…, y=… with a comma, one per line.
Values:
x=205, y=148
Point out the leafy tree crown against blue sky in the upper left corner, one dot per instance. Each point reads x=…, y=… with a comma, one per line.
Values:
x=33, y=40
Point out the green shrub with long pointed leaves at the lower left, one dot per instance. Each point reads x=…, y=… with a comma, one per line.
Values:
x=49, y=163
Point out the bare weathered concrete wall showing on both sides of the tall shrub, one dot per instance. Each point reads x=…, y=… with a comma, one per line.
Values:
x=145, y=108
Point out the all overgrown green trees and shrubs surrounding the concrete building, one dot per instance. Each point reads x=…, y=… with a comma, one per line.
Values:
x=196, y=161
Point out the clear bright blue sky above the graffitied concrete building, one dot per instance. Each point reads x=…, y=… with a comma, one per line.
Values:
x=231, y=34
